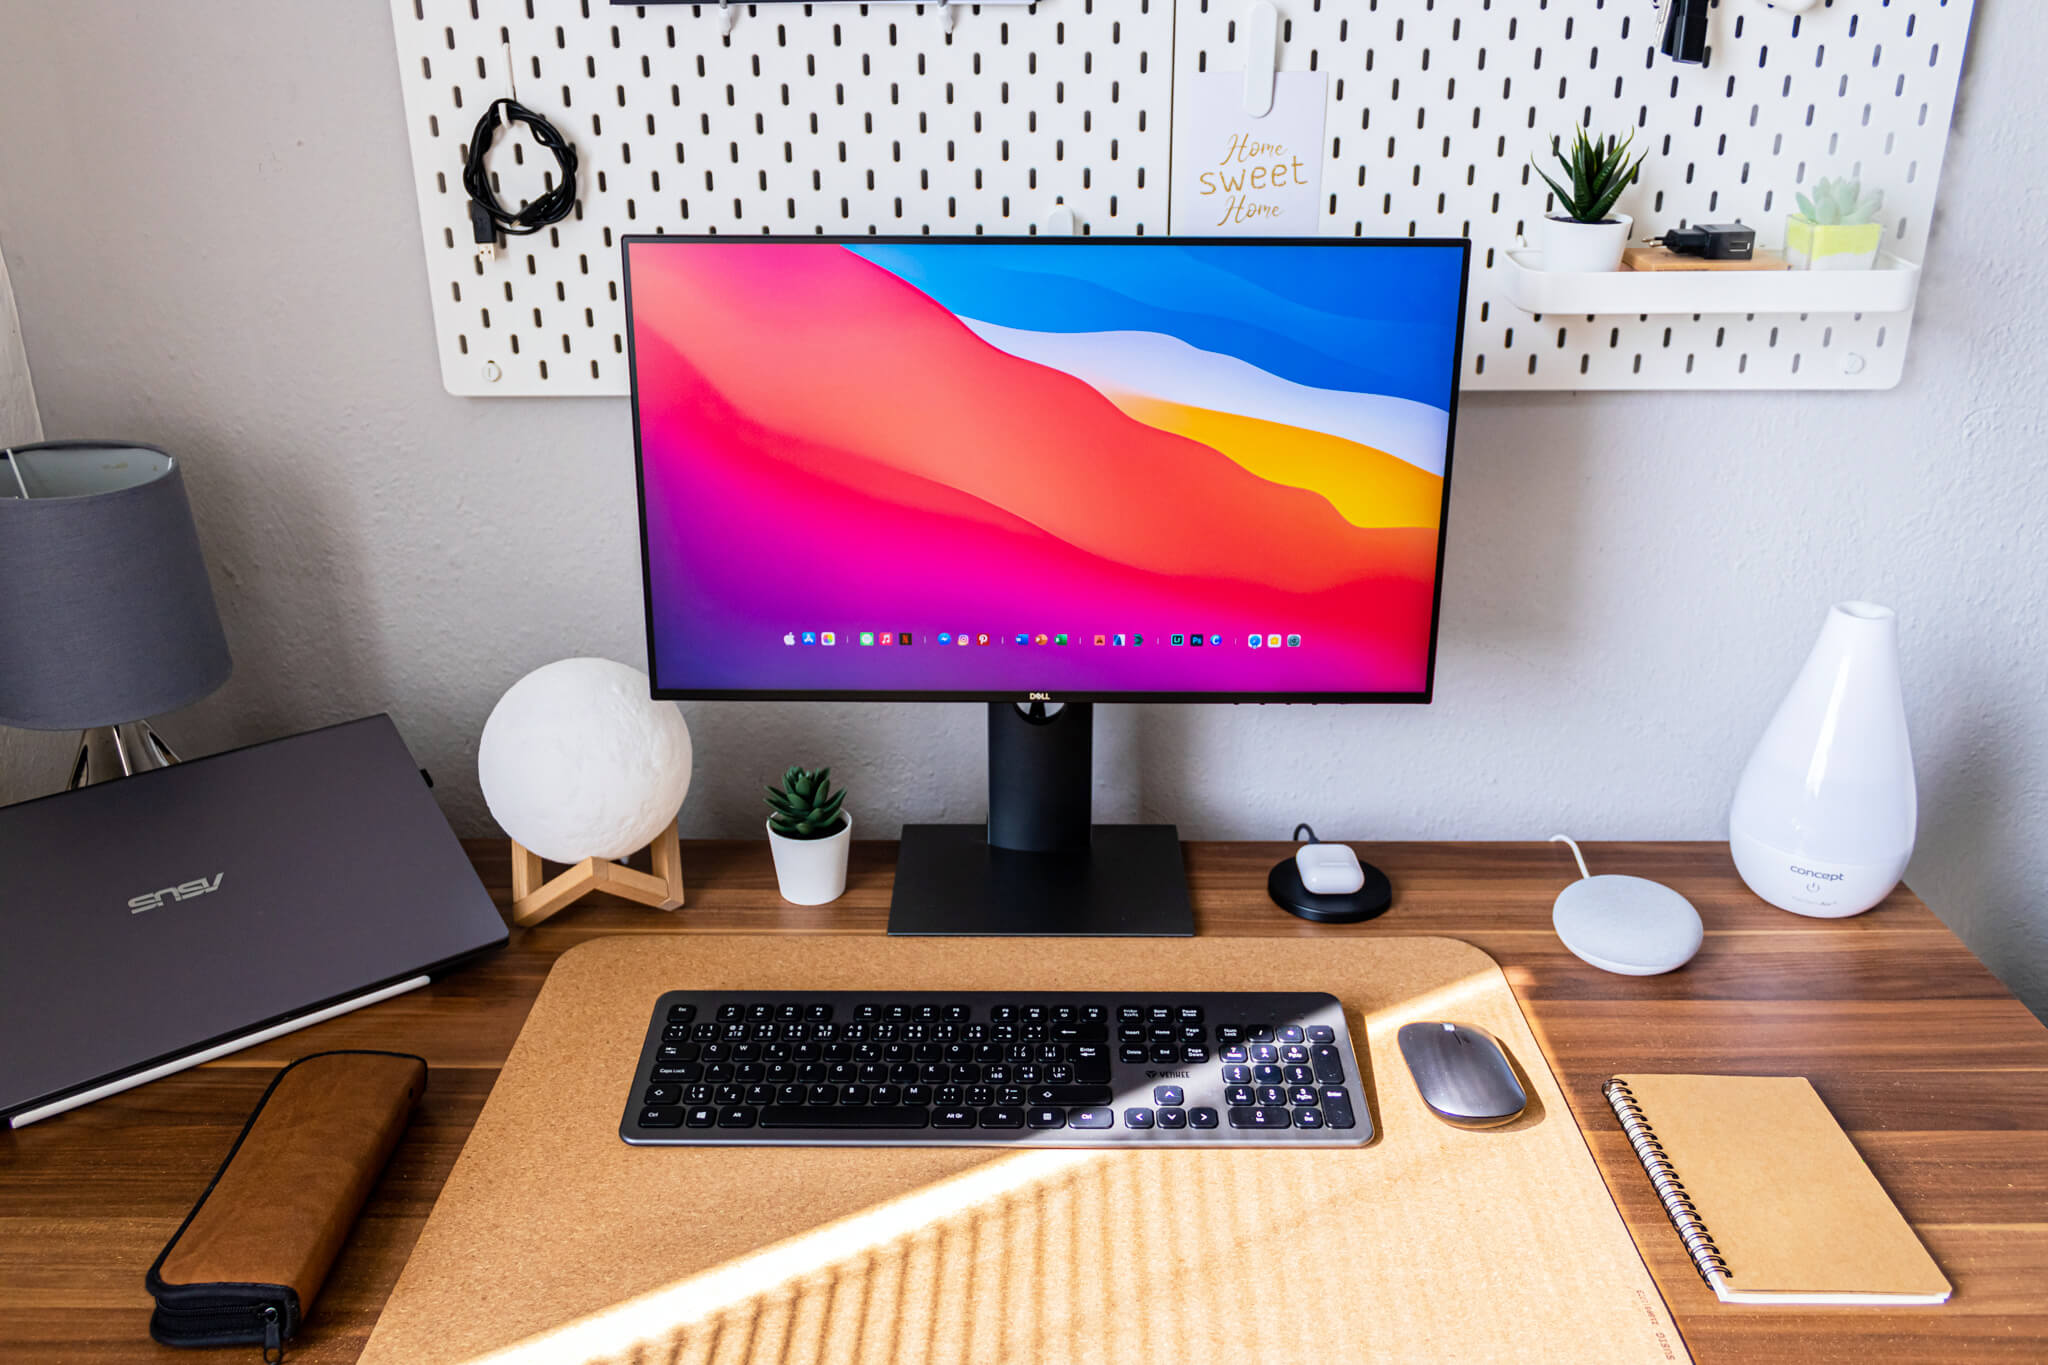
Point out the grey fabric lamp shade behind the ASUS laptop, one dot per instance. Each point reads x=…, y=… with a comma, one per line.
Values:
x=105, y=609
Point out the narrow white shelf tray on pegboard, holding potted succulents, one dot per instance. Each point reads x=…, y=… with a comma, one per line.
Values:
x=1885, y=290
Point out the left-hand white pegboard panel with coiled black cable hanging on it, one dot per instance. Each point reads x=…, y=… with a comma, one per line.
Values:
x=806, y=120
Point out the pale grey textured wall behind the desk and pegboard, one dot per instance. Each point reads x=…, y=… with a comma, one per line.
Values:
x=214, y=243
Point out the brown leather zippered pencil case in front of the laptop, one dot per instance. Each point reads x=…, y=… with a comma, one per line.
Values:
x=249, y=1262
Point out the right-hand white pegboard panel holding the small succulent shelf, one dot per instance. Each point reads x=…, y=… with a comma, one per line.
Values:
x=1437, y=105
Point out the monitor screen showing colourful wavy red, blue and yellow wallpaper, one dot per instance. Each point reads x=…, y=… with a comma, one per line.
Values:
x=1222, y=461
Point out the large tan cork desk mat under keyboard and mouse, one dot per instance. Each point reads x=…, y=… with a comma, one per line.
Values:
x=554, y=1241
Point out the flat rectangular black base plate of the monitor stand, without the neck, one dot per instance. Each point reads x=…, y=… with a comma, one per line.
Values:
x=1127, y=883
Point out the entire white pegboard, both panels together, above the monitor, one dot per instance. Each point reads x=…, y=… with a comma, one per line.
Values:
x=851, y=120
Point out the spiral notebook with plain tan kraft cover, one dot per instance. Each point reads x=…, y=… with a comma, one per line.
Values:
x=1770, y=1198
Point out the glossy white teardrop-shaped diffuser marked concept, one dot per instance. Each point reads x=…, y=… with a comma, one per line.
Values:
x=1826, y=811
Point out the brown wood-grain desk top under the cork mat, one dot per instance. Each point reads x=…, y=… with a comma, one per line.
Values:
x=1934, y=1067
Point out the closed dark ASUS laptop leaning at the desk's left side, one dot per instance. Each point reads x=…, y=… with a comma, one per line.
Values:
x=165, y=920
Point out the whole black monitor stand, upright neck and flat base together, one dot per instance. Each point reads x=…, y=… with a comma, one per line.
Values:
x=1039, y=869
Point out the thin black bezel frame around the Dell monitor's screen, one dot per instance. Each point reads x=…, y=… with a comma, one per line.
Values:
x=1033, y=695
